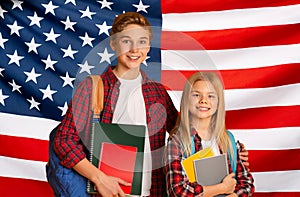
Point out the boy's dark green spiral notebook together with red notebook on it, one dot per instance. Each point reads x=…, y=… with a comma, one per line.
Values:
x=108, y=142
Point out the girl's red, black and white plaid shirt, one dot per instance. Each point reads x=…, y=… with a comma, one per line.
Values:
x=178, y=183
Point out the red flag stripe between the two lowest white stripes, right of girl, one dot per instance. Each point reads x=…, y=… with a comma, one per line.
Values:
x=274, y=160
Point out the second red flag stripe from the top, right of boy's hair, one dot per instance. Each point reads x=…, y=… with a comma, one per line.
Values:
x=231, y=38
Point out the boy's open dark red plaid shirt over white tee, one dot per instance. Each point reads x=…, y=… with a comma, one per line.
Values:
x=71, y=138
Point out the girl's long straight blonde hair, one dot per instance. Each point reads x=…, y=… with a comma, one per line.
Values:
x=217, y=123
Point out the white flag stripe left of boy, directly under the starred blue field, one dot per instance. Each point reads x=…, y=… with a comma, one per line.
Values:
x=26, y=126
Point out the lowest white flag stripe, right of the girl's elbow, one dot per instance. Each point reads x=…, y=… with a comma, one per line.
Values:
x=279, y=181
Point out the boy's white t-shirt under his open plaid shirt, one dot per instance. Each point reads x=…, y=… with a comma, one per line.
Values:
x=130, y=109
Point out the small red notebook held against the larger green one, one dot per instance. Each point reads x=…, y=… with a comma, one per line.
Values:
x=119, y=161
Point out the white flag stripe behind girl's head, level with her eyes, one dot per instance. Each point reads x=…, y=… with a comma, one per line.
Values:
x=235, y=99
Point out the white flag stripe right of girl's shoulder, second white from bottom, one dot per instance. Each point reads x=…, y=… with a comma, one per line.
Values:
x=269, y=139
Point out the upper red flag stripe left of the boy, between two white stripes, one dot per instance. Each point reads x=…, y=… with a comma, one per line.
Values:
x=24, y=148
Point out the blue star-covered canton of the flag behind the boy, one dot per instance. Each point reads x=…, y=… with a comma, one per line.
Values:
x=49, y=46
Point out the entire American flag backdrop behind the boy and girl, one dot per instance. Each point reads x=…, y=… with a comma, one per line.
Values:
x=48, y=46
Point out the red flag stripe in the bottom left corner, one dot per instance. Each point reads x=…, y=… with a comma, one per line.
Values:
x=24, y=187
